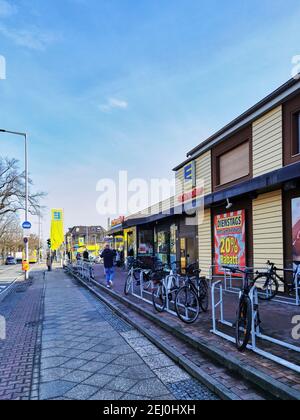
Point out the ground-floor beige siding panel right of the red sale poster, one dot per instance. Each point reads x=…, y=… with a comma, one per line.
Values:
x=268, y=229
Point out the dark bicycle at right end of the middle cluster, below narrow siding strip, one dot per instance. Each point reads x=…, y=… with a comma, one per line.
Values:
x=192, y=297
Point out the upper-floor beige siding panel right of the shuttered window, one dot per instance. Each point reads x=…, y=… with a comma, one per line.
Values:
x=268, y=143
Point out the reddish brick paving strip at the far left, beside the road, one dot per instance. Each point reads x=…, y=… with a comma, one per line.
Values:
x=21, y=310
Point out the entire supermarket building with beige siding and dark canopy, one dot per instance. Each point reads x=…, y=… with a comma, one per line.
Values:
x=248, y=177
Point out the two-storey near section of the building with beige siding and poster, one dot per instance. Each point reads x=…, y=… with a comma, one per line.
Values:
x=251, y=170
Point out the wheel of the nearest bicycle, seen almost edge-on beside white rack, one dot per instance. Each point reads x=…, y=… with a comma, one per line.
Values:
x=244, y=323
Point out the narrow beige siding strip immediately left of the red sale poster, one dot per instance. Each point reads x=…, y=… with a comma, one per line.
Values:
x=205, y=242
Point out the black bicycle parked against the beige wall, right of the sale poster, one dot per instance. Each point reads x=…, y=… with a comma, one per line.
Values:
x=272, y=281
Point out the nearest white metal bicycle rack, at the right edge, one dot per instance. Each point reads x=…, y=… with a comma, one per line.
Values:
x=255, y=332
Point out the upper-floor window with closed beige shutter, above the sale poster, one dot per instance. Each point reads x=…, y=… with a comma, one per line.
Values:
x=234, y=165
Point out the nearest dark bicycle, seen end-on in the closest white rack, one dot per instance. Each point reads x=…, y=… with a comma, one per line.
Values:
x=243, y=325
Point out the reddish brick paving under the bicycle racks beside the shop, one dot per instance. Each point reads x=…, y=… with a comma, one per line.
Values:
x=276, y=321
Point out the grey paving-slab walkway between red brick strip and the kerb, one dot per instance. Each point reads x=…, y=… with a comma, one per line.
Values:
x=88, y=352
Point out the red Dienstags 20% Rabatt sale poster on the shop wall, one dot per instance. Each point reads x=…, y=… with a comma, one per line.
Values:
x=230, y=240
